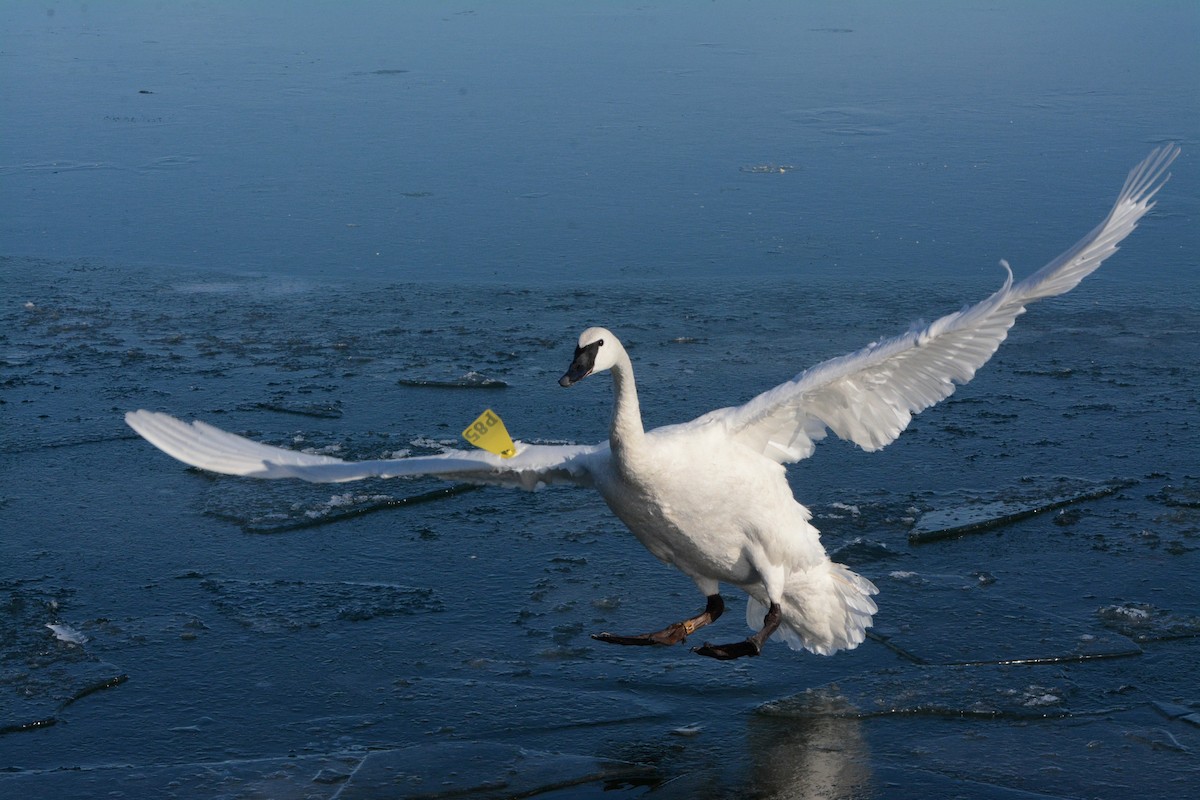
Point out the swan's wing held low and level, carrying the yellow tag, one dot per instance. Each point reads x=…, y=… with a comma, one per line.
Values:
x=203, y=446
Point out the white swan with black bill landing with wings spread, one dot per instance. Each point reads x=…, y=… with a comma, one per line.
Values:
x=711, y=497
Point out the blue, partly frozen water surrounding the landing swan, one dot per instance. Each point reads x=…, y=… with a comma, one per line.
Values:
x=284, y=219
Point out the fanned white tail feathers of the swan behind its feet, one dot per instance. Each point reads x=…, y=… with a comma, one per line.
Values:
x=826, y=610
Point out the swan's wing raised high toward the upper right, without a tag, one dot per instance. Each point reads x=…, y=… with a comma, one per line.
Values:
x=871, y=396
